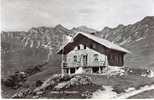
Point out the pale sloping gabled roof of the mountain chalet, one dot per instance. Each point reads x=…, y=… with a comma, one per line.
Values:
x=101, y=41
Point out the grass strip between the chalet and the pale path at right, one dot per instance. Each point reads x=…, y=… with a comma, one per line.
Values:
x=122, y=82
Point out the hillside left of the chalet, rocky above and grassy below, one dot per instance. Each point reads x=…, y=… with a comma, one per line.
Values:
x=25, y=49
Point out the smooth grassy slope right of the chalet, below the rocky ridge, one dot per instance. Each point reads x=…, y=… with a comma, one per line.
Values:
x=142, y=54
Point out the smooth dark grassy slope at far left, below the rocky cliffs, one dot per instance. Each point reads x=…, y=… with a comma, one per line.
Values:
x=22, y=59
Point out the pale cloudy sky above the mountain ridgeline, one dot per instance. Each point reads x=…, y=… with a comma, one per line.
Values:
x=18, y=15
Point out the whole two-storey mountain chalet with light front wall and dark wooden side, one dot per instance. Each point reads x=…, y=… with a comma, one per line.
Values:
x=90, y=53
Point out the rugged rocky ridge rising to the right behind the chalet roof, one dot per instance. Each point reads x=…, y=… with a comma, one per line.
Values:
x=130, y=33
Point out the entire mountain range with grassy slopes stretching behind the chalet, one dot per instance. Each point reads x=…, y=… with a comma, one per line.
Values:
x=22, y=49
